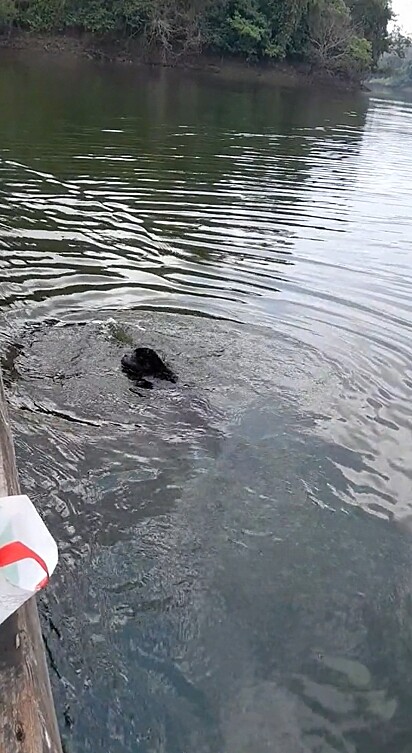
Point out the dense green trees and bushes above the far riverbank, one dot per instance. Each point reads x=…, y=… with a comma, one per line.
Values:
x=343, y=36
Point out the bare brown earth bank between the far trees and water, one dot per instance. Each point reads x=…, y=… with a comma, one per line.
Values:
x=71, y=47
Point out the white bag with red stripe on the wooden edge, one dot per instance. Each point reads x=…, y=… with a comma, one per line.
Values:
x=28, y=553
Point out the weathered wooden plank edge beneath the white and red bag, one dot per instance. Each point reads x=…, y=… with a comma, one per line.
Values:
x=28, y=721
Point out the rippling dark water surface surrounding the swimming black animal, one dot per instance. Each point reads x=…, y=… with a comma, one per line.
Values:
x=236, y=548
